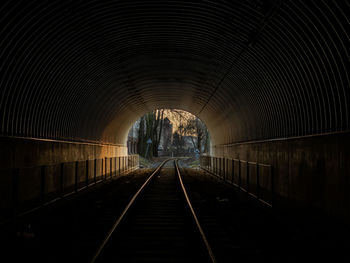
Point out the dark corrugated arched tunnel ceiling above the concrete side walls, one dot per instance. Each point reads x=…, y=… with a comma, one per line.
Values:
x=253, y=69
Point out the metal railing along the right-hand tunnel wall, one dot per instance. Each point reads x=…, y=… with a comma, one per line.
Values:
x=256, y=179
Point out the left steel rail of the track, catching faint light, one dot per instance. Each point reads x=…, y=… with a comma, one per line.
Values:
x=115, y=225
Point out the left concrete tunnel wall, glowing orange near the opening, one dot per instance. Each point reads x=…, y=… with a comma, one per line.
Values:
x=33, y=171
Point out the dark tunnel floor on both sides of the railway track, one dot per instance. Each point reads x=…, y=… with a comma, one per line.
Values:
x=238, y=228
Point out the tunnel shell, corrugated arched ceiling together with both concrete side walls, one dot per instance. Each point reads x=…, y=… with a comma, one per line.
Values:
x=269, y=78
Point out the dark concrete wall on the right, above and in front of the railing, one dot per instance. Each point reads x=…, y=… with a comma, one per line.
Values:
x=310, y=172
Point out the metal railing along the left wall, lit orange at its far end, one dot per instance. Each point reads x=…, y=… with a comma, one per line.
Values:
x=26, y=189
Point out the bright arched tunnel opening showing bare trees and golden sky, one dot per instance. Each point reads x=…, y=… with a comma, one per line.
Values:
x=168, y=132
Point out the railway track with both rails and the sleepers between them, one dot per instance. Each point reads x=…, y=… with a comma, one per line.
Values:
x=158, y=225
